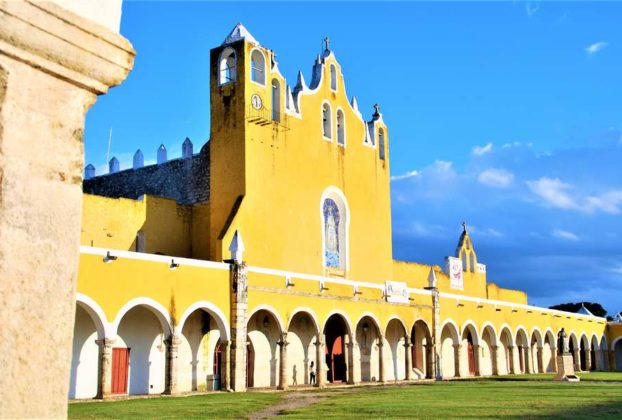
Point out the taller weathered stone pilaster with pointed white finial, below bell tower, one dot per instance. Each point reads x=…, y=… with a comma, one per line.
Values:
x=239, y=305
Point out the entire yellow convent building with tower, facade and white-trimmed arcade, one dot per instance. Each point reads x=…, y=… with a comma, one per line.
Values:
x=265, y=259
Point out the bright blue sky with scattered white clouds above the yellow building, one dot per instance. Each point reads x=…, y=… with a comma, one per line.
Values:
x=507, y=115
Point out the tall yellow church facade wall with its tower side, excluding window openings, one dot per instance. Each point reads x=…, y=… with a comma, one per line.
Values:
x=280, y=220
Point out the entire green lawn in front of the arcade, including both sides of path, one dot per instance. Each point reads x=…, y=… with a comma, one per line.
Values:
x=597, y=395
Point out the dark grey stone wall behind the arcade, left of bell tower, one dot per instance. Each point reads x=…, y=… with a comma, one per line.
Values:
x=183, y=180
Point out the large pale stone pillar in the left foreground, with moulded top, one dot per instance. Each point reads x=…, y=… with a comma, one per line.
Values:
x=53, y=64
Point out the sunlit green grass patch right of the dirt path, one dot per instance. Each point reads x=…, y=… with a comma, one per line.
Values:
x=475, y=399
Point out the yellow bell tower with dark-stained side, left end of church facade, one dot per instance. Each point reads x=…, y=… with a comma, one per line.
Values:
x=238, y=84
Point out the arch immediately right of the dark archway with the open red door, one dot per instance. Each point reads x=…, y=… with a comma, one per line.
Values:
x=368, y=334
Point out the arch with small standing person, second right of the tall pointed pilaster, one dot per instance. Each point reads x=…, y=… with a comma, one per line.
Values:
x=302, y=336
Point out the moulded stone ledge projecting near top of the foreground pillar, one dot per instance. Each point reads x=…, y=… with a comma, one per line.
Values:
x=64, y=44
